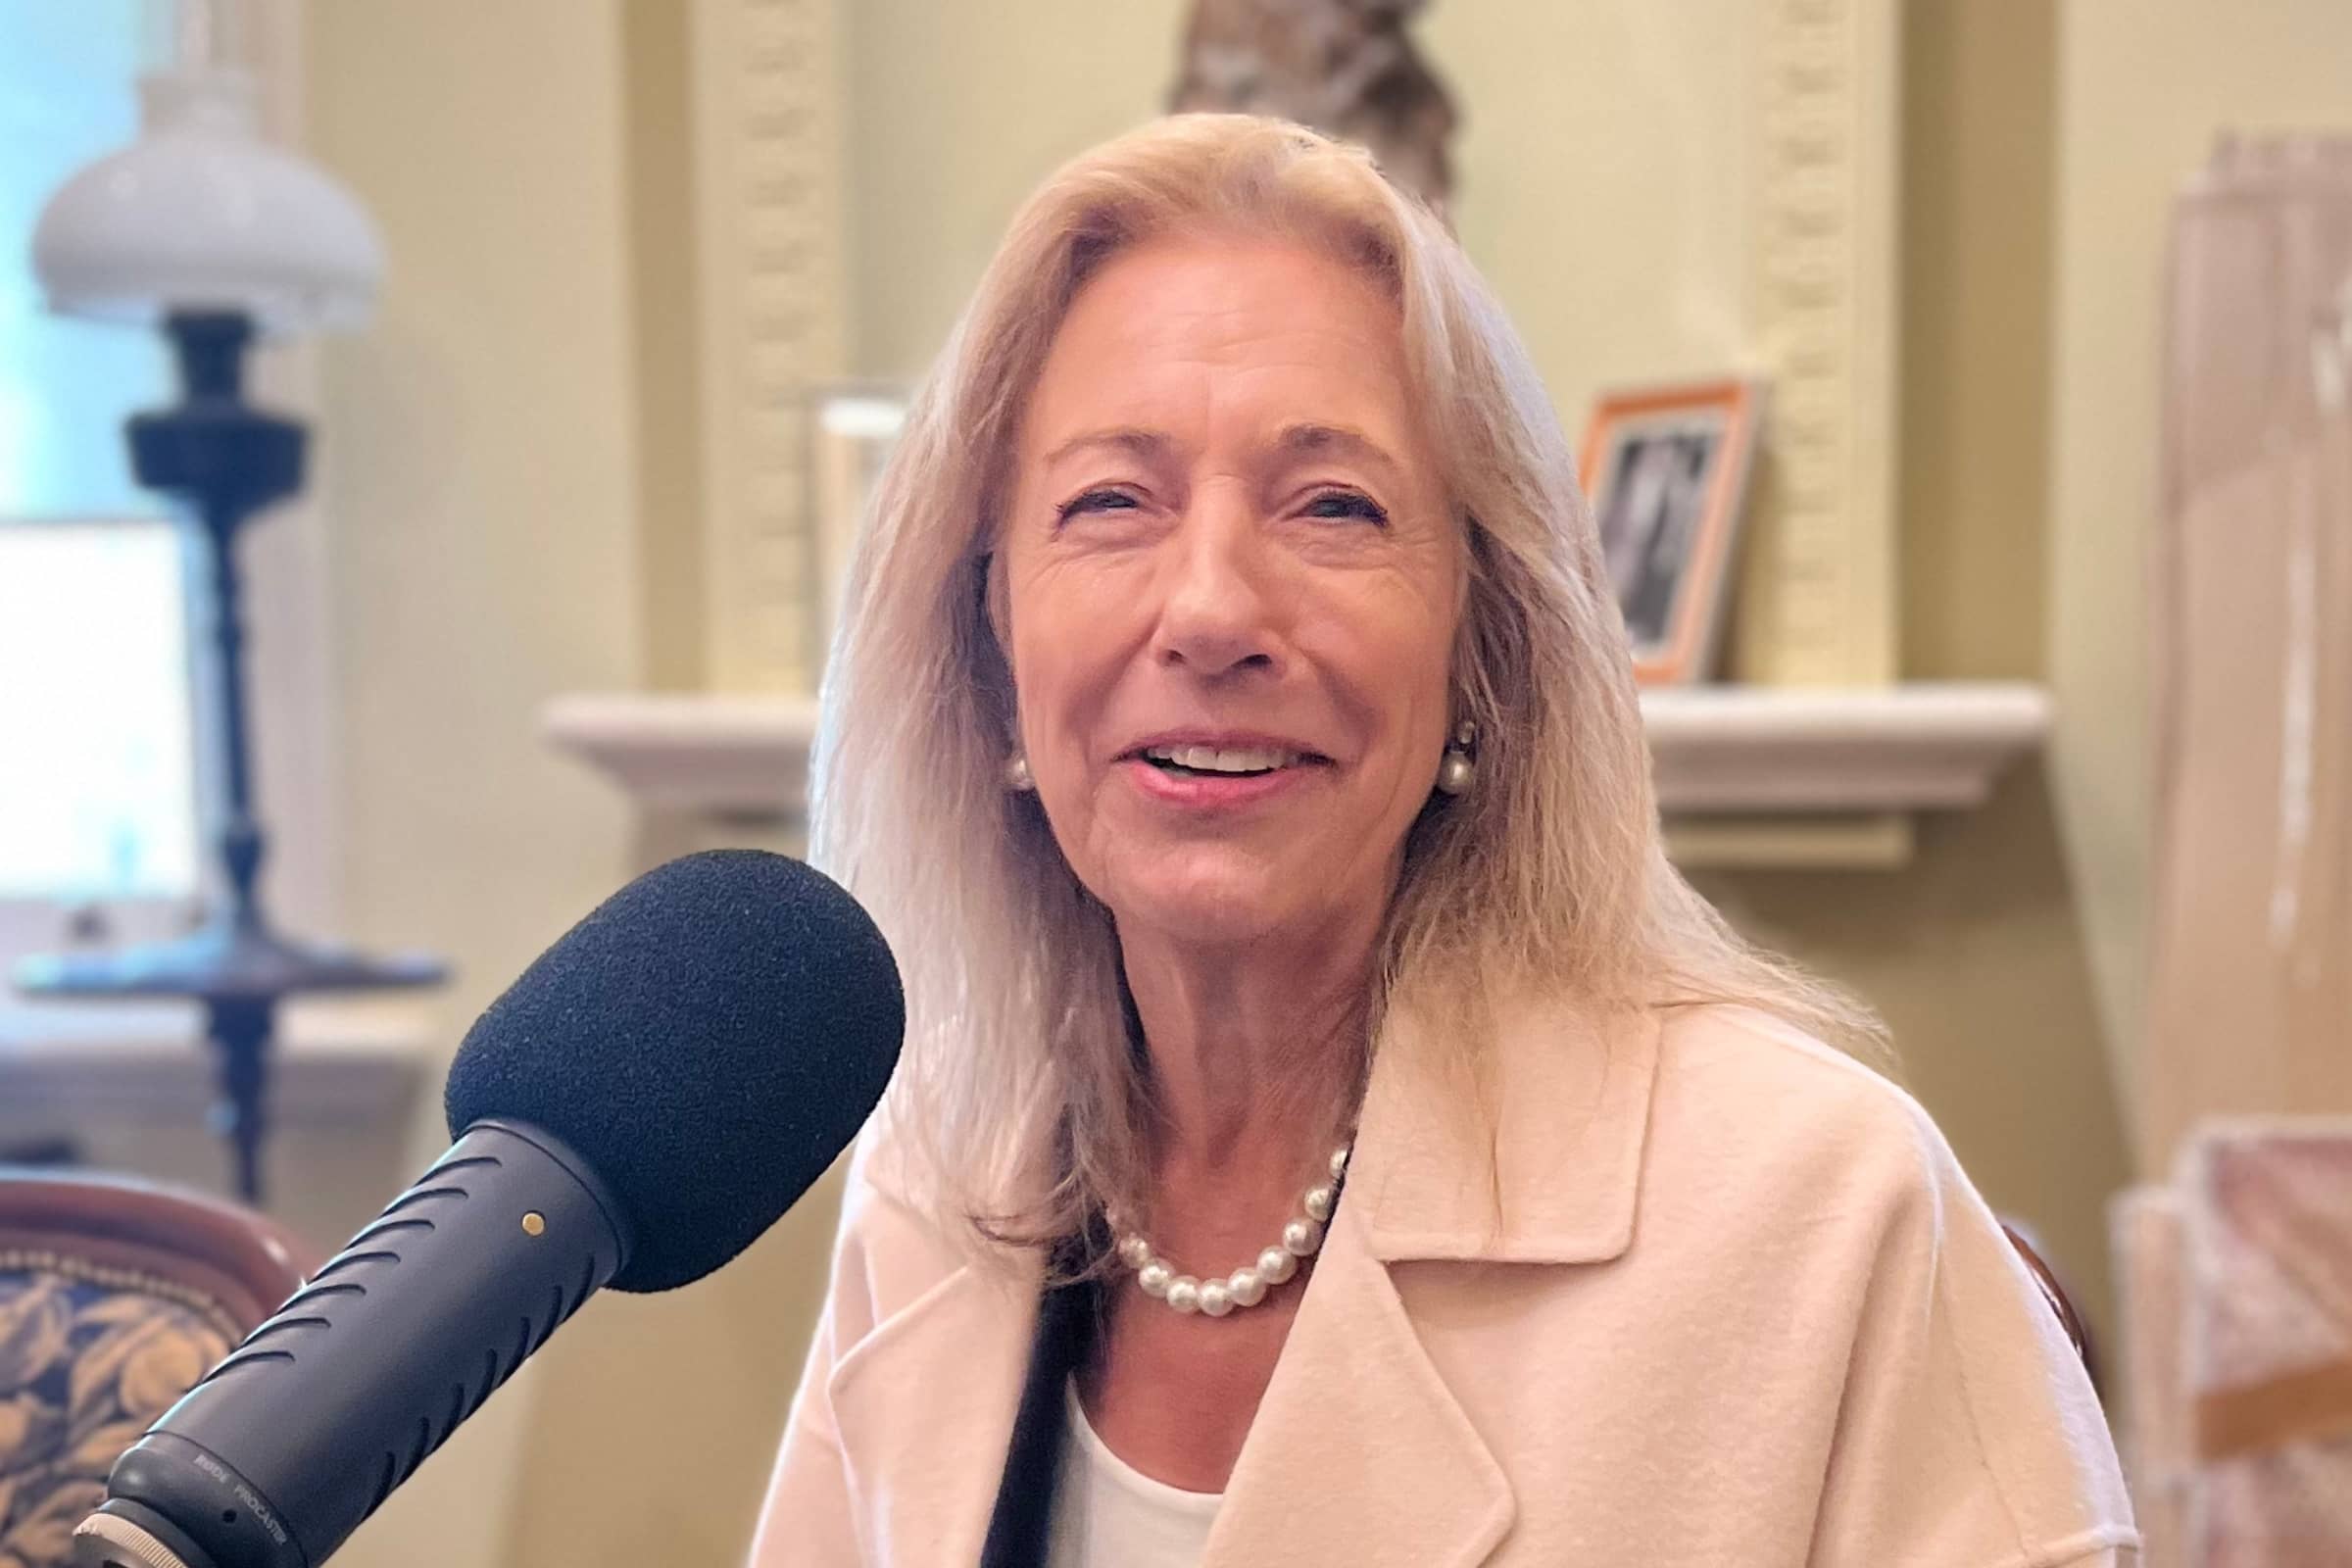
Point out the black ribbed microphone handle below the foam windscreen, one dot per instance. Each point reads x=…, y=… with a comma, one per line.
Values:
x=309, y=1426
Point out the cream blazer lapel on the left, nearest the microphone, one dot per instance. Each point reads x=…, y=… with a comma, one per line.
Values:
x=926, y=1409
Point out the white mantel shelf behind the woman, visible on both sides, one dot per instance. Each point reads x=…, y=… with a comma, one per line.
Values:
x=1720, y=751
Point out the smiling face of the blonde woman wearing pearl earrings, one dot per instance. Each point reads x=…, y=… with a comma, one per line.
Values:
x=1231, y=589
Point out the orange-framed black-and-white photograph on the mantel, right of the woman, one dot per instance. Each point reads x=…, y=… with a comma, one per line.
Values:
x=1666, y=471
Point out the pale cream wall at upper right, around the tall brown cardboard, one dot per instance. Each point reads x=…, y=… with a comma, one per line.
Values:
x=2144, y=91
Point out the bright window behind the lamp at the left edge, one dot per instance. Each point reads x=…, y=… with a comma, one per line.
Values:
x=98, y=777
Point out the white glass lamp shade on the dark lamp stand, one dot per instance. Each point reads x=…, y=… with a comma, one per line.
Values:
x=203, y=215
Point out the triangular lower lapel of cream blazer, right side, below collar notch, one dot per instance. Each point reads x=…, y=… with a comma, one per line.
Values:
x=1358, y=1452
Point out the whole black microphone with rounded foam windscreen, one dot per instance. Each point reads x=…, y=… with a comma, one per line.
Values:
x=636, y=1111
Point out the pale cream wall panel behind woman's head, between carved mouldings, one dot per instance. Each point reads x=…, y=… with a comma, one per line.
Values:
x=1631, y=112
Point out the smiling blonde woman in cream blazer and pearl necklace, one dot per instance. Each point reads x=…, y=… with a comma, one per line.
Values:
x=1234, y=735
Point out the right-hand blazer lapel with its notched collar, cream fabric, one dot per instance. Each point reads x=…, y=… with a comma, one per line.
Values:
x=1361, y=1454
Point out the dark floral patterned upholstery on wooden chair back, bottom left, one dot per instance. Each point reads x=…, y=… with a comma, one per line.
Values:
x=88, y=1360
